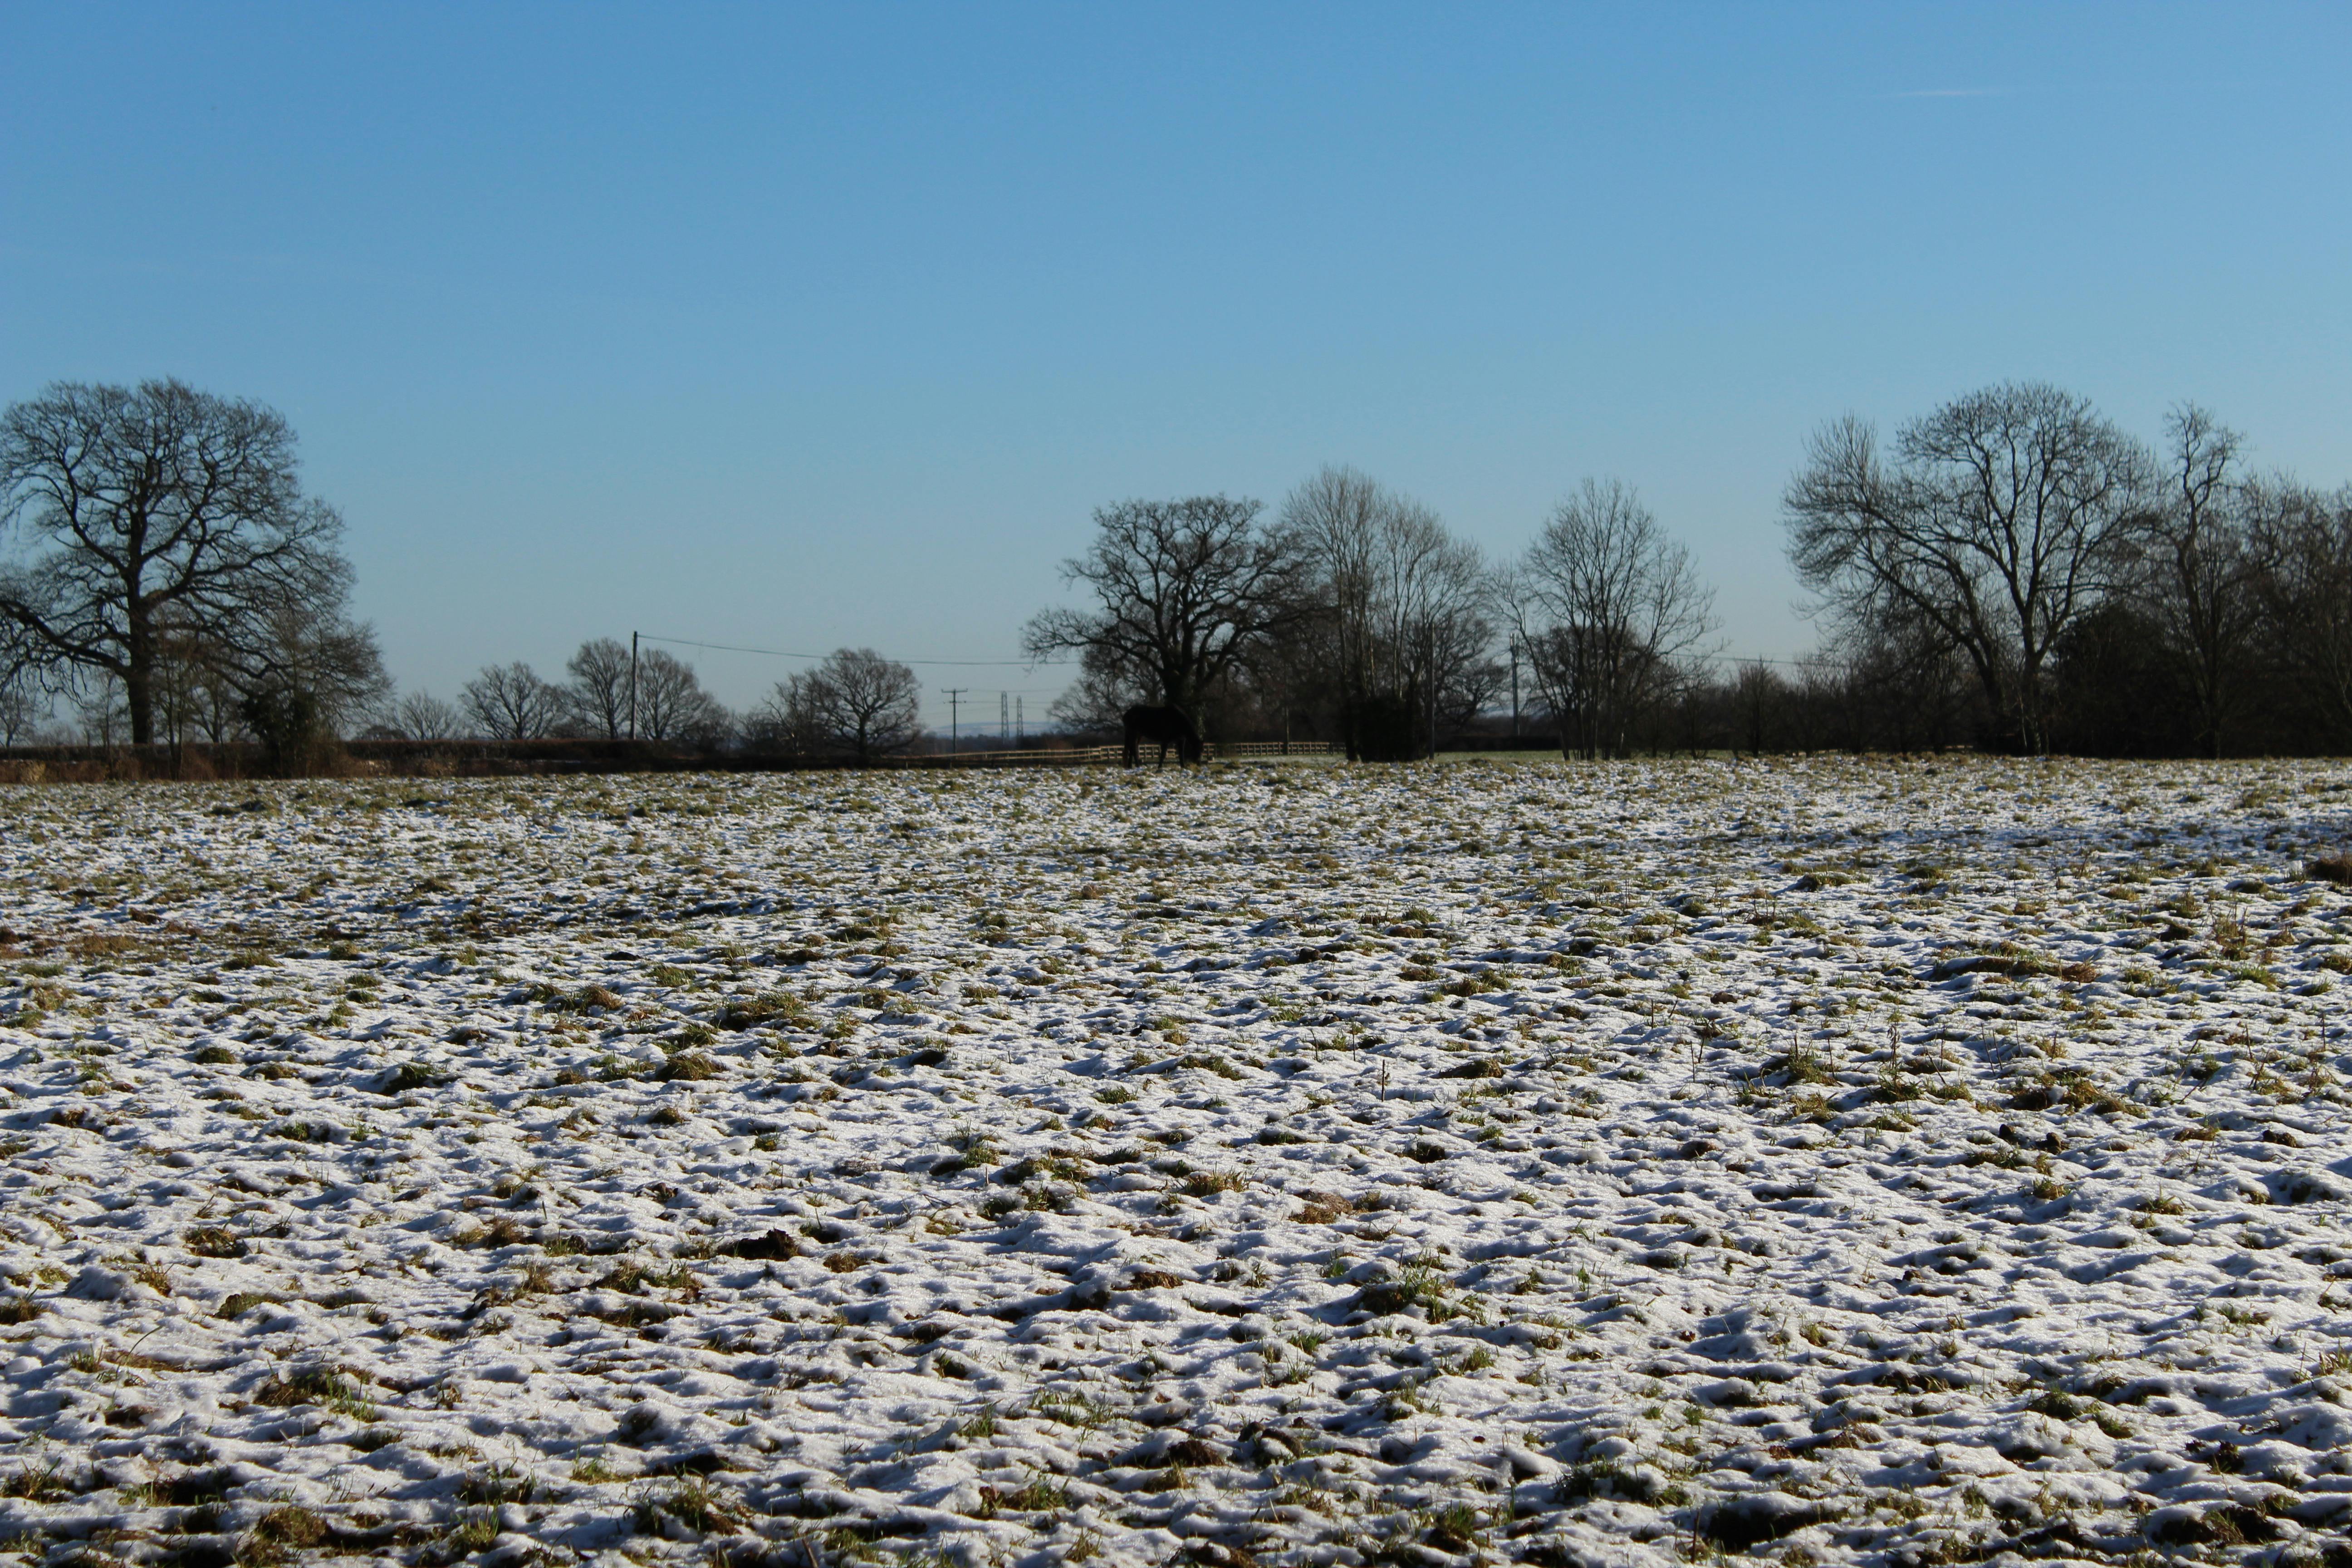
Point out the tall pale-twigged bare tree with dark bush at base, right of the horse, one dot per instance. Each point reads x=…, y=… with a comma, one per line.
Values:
x=1403, y=610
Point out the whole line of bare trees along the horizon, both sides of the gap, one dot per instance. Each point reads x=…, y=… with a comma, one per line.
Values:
x=2007, y=572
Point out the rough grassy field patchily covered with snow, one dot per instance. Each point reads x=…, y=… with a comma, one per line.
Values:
x=1895, y=1162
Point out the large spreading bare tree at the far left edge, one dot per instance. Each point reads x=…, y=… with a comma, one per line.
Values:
x=154, y=516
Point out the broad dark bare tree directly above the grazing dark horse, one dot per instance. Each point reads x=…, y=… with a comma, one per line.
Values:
x=1182, y=589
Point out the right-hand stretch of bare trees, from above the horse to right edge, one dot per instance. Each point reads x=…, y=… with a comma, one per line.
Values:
x=2012, y=572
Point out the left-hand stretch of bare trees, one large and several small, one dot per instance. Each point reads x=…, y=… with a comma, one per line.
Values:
x=173, y=584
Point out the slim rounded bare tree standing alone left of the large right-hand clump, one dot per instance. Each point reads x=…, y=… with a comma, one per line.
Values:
x=1608, y=612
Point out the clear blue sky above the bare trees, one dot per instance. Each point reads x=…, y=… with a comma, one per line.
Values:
x=813, y=328
